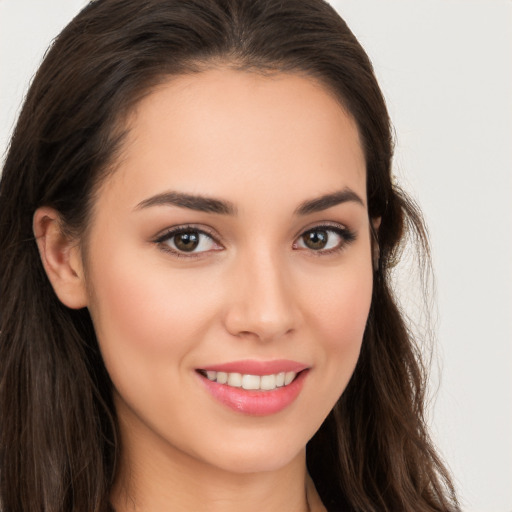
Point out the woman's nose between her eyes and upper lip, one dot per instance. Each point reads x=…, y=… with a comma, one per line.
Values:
x=262, y=300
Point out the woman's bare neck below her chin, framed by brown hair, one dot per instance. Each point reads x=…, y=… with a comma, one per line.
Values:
x=206, y=488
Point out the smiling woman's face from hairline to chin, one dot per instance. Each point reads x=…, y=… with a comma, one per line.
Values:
x=232, y=243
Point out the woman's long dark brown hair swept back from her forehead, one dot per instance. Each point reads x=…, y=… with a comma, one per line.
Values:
x=58, y=432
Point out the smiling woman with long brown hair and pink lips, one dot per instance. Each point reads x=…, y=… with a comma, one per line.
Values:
x=197, y=230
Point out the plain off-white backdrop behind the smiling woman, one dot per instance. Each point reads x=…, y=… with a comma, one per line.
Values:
x=445, y=67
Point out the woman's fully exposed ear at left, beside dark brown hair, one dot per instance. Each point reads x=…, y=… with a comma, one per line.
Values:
x=61, y=258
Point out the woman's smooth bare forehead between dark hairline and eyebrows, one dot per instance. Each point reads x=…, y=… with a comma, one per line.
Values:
x=224, y=132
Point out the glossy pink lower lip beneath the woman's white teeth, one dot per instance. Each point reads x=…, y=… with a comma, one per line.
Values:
x=256, y=403
